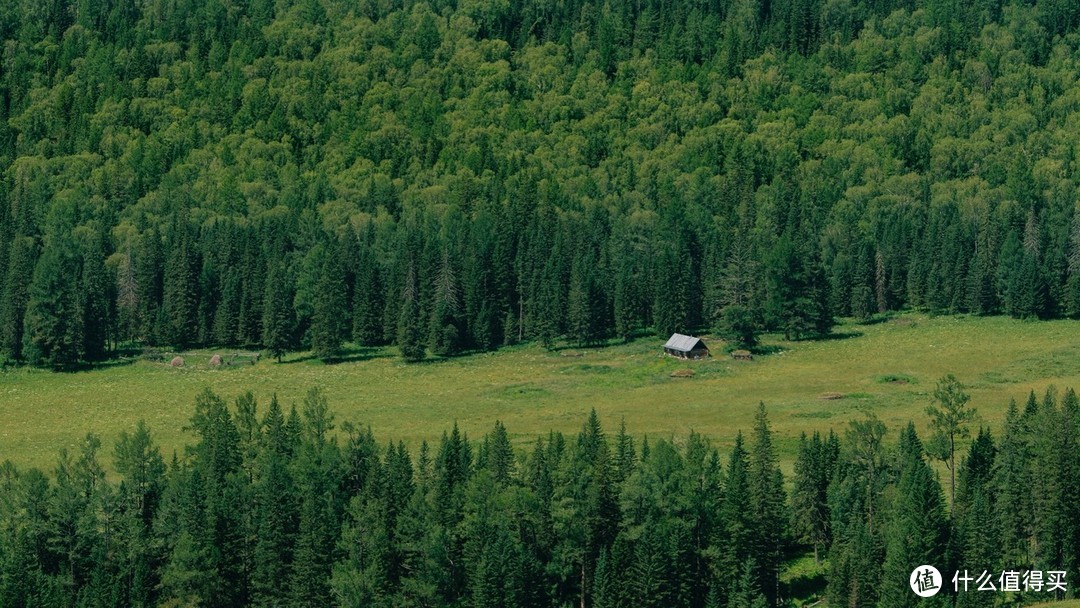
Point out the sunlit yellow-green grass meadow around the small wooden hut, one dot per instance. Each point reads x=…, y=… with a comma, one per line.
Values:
x=889, y=369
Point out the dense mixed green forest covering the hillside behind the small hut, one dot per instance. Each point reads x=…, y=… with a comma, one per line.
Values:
x=460, y=175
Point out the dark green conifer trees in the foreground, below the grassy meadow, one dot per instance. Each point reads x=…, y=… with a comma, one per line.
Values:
x=281, y=509
